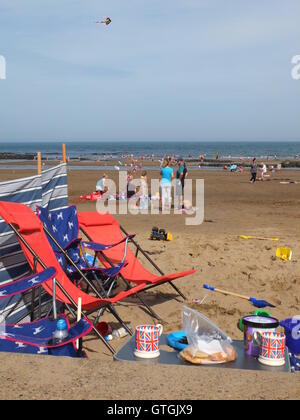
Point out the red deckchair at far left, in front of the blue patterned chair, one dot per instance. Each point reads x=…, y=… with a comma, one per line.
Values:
x=38, y=252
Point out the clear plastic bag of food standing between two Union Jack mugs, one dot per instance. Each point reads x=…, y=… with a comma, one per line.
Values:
x=208, y=344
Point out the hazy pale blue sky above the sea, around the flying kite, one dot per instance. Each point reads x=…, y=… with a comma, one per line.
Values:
x=163, y=70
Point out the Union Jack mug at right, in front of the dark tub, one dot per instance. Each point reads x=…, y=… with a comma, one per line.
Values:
x=272, y=348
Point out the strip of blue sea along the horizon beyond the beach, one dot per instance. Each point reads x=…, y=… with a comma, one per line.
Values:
x=94, y=150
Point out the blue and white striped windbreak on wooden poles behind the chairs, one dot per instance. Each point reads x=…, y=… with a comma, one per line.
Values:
x=49, y=190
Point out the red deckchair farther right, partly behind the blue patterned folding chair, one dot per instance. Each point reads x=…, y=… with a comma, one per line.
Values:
x=106, y=229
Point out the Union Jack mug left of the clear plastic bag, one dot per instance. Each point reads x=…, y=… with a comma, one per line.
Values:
x=147, y=341
